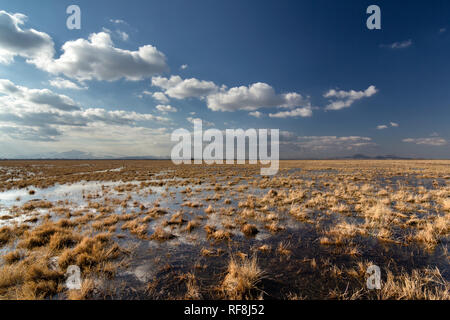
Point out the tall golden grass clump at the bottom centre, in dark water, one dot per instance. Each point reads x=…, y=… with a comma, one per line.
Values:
x=242, y=278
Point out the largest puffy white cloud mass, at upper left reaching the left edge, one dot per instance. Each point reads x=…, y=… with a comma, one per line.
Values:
x=95, y=58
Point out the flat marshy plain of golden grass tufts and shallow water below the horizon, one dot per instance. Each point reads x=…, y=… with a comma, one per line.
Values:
x=154, y=230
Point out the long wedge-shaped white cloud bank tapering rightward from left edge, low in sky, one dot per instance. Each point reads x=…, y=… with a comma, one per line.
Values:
x=45, y=113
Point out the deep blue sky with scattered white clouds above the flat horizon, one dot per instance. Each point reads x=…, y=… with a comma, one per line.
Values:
x=138, y=70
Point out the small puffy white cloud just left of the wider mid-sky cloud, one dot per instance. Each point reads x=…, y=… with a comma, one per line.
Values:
x=176, y=87
